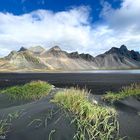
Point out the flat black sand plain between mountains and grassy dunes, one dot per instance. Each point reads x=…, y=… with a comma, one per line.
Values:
x=97, y=83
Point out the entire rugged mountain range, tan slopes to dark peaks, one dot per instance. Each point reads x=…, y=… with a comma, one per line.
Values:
x=39, y=59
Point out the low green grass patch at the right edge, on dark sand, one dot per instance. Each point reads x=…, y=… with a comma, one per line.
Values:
x=129, y=91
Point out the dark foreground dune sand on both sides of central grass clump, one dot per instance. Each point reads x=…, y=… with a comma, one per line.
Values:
x=44, y=120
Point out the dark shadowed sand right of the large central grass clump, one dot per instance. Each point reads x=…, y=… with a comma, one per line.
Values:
x=128, y=116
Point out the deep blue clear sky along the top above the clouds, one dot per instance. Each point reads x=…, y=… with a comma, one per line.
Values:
x=18, y=7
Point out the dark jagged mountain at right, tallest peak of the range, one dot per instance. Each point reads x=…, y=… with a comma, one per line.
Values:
x=118, y=58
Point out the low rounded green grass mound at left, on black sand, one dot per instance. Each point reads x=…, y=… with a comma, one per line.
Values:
x=30, y=91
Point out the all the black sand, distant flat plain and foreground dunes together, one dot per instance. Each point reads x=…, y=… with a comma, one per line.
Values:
x=42, y=119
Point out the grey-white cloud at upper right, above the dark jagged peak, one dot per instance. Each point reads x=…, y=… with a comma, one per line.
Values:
x=124, y=21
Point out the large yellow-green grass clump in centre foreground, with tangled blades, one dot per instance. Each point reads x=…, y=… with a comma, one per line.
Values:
x=93, y=121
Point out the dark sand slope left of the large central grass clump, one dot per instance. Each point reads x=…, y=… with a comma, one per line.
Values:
x=39, y=120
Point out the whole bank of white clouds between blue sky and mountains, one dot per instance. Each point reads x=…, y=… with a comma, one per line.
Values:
x=72, y=30
